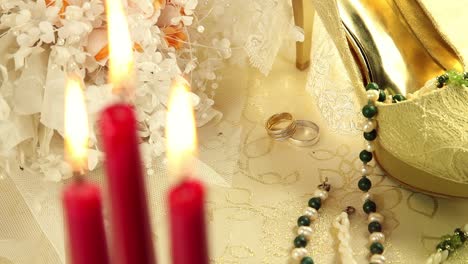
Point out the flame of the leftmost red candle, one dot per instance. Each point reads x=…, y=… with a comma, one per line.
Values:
x=76, y=124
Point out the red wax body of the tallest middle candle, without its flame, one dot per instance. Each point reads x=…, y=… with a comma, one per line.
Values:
x=132, y=237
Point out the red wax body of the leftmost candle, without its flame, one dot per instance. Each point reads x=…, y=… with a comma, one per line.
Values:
x=84, y=222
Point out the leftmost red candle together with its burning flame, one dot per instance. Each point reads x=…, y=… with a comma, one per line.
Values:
x=81, y=200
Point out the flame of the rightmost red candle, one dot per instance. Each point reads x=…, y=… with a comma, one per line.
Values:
x=180, y=130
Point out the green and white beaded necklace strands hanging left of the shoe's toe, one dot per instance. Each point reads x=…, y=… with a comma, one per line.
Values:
x=375, y=220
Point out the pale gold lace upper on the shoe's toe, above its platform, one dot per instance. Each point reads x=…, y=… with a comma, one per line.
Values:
x=430, y=133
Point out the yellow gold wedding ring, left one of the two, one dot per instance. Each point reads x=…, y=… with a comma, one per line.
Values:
x=281, y=126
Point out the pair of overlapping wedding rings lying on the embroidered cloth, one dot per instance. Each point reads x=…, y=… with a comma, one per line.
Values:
x=301, y=133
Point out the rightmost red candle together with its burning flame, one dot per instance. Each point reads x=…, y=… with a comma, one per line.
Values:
x=187, y=198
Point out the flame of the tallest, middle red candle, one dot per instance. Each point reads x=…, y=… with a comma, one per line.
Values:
x=120, y=47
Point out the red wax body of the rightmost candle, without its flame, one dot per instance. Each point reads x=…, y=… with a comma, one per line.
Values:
x=187, y=223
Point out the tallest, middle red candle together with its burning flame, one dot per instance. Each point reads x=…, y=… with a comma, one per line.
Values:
x=132, y=237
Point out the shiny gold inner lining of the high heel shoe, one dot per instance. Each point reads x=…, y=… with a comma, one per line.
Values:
x=388, y=49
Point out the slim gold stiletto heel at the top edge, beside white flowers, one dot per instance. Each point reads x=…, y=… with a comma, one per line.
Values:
x=304, y=18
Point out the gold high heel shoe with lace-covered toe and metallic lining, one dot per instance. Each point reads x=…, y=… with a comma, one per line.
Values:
x=422, y=141
